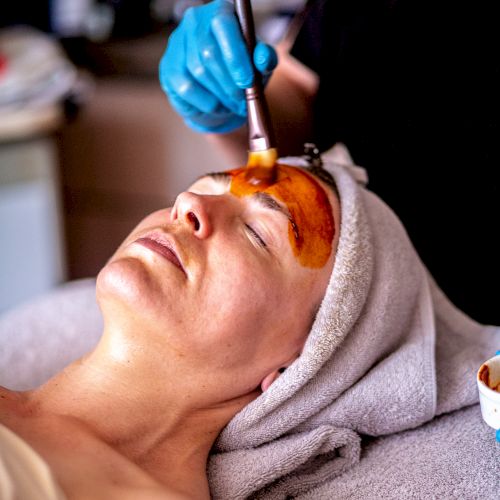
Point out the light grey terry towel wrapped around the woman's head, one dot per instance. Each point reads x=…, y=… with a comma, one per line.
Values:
x=387, y=352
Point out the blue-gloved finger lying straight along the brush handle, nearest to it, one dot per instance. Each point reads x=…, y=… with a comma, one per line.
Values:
x=227, y=33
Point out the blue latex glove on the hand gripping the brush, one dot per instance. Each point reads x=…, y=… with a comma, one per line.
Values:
x=206, y=66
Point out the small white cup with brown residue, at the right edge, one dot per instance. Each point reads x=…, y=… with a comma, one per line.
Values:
x=488, y=379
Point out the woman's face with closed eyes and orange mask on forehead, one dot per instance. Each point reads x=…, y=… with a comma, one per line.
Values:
x=227, y=281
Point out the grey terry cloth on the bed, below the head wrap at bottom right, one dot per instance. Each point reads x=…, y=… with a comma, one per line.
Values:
x=454, y=456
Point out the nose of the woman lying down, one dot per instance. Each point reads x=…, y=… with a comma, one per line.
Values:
x=193, y=209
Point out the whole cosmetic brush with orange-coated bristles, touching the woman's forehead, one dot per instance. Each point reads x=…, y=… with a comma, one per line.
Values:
x=262, y=151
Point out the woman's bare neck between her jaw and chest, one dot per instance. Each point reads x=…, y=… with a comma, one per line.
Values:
x=144, y=416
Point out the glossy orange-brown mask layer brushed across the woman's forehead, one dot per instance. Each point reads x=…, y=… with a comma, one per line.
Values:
x=311, y=238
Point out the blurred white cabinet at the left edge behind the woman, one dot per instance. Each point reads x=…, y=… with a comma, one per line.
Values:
x=31, y=235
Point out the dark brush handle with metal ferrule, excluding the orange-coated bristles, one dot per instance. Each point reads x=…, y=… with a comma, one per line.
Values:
x=260, y=131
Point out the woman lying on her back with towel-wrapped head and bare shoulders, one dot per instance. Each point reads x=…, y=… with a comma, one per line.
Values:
x=252, y=333
